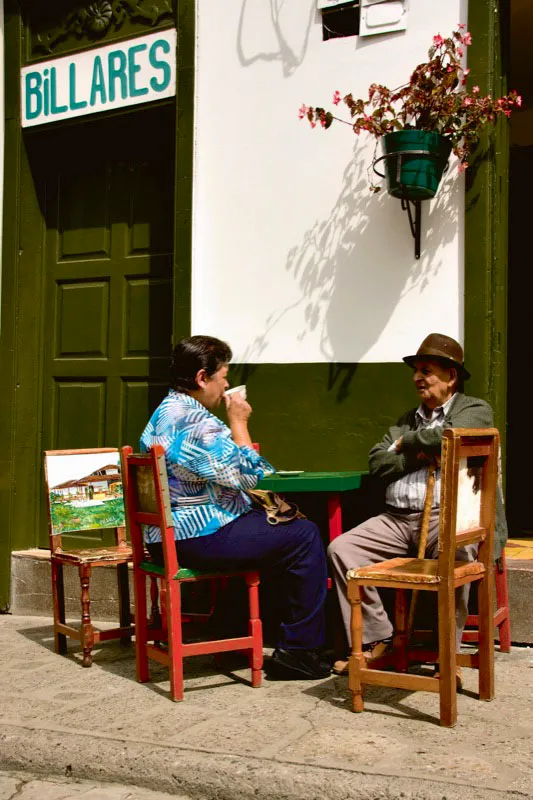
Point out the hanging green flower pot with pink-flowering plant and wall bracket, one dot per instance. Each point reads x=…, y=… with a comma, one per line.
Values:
x=412, y=118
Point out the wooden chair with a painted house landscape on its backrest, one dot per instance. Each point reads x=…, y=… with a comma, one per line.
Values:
x=84, y=494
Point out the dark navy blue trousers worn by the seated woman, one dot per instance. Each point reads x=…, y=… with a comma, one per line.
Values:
x=292, y=553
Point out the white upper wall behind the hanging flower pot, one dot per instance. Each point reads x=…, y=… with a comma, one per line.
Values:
x=294, y=260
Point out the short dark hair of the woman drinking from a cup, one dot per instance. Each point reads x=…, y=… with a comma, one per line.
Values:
x=193, y=354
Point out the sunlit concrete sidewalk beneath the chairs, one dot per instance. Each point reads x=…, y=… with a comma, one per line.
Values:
x=289, y=740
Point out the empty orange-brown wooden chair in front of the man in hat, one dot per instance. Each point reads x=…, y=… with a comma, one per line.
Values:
x=469, y=464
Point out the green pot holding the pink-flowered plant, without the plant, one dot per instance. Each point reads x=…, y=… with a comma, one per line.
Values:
x=415, y=161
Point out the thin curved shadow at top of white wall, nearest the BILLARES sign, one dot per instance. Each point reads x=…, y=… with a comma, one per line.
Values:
x=265, y=26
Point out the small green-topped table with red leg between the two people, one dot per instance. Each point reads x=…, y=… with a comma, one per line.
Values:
x=333, y=483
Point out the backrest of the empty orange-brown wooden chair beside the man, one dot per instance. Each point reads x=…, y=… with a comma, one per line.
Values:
x=469, y=483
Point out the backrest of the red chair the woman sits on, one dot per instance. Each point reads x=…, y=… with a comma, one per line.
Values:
x=148, y=503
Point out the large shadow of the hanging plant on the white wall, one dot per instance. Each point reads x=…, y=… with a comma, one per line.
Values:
x=354, y=268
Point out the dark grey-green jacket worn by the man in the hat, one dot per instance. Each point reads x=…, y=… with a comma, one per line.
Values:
x=465, y=412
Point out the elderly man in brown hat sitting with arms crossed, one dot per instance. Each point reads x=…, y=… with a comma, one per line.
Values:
x=401, y=460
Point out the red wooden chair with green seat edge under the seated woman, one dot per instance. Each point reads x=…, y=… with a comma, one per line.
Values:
x=148, y=503
